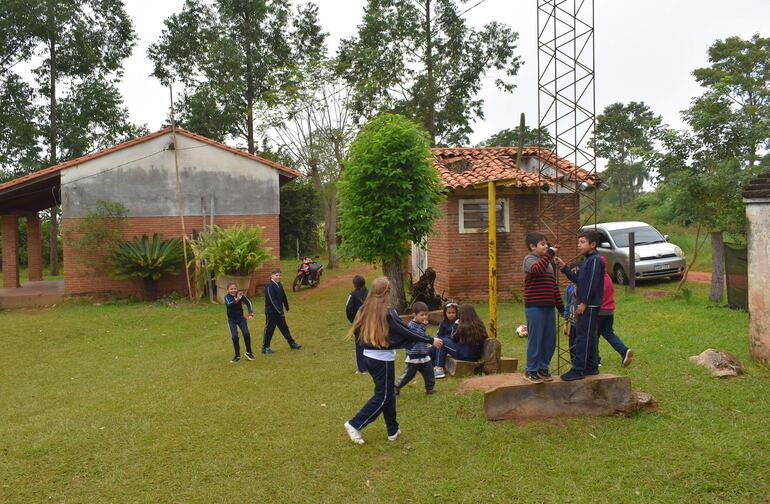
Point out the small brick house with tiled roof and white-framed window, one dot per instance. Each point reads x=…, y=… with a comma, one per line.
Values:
x=459, y=250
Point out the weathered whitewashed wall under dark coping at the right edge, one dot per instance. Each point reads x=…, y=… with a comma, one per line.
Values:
x=758, y=214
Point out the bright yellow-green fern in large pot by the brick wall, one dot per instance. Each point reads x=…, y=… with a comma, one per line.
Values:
x=237, y=250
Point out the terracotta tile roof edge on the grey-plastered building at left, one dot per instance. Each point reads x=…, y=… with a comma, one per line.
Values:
x=135, y=141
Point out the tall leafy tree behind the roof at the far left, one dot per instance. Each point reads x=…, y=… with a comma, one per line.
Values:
x=74, y=107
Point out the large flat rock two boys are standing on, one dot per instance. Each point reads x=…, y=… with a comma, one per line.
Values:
x=516, y=398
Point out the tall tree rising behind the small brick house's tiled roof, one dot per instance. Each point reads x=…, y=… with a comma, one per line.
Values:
x=420, y=59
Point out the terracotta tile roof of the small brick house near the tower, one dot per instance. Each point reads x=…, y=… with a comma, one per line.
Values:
x=469, y=166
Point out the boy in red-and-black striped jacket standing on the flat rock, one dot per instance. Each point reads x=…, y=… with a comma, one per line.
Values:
x=541, y=297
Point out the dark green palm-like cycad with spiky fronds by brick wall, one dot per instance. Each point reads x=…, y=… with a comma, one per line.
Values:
x=148, y=259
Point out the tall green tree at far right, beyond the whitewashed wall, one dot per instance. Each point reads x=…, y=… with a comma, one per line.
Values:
x=731, y=125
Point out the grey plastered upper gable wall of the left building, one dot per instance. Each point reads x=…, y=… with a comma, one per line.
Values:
x=143, y=178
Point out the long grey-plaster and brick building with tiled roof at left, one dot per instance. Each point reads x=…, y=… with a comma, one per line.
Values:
x=237, y=187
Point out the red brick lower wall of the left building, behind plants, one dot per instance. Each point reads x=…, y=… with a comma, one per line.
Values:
x=79, y=280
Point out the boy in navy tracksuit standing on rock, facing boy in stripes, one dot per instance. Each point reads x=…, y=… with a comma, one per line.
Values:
x=590, y=294
